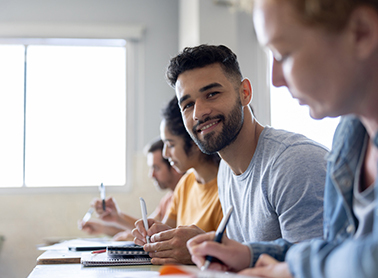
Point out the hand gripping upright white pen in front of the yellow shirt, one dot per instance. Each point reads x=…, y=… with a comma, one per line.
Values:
x=140, y=232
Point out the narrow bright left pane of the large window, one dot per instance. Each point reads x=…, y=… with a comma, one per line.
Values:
x=11, y=115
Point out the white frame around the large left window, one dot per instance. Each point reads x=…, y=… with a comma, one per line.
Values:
x=133, y=36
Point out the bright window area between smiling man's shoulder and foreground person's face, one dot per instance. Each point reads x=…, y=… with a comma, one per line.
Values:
x=287, y=114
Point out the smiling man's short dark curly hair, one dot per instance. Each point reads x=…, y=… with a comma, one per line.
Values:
x=201, y=56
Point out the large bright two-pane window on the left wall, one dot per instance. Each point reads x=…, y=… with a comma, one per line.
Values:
x=63, y=113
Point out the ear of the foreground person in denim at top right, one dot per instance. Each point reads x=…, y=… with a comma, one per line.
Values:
x=364, y=25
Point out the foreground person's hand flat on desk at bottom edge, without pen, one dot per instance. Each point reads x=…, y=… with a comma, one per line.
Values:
x=266, y=266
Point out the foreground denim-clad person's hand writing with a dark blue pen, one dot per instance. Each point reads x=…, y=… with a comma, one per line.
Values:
x=233, y=255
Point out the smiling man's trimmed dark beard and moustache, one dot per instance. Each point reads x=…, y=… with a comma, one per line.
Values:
x=231, y=128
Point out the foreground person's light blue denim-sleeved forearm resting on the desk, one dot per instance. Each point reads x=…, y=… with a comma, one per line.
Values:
x=348, y=259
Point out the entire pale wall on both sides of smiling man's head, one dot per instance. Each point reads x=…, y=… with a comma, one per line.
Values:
x=27, y=218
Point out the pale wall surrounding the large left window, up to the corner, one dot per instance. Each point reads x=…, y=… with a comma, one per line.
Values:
x=27, y=218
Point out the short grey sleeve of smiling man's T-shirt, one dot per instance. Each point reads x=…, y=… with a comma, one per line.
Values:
x=297, y=191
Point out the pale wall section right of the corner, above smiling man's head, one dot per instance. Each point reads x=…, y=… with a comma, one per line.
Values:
x=205, y=22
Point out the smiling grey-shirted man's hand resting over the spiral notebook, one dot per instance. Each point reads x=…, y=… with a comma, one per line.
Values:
x=169, y=247
